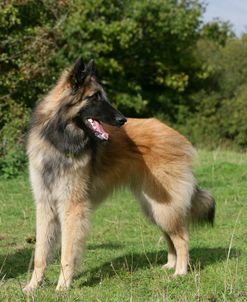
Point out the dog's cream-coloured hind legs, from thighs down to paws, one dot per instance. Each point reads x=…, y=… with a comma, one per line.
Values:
x=170, y=215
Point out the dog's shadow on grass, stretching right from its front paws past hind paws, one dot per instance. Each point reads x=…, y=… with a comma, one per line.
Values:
x=201, y=257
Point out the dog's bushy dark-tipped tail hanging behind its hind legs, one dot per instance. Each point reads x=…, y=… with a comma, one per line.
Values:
x=202, y=207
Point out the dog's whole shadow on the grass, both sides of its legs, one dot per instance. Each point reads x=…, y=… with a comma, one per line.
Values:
x=15, y=264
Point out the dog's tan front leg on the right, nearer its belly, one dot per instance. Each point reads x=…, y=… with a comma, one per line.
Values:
x=74, y=225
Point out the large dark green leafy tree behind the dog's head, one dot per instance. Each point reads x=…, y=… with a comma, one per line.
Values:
x=142, y=50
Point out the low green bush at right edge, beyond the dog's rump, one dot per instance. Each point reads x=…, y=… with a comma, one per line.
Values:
x=217, y=121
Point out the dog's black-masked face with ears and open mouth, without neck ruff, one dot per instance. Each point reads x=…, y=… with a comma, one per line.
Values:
x=91, y=102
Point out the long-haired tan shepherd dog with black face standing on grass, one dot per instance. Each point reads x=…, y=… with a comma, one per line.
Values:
x=81, y=149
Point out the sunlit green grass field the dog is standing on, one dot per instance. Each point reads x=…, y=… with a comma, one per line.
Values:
x=124, y=253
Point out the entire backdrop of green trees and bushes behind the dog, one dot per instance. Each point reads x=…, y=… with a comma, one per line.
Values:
x=154, y=58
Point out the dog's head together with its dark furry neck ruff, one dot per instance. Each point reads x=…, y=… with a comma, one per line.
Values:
x=77, y=107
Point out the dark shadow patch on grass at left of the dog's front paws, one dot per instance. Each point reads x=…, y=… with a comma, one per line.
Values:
x=15, y=264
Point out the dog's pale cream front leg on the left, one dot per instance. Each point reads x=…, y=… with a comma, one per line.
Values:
x=46, y=230
